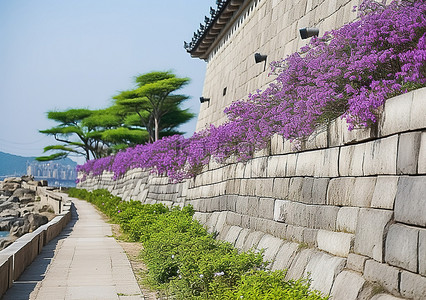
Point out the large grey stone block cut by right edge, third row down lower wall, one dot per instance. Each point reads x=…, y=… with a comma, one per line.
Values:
x=410, y=202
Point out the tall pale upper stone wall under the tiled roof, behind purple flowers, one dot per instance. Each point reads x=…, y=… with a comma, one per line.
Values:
x=270, y=27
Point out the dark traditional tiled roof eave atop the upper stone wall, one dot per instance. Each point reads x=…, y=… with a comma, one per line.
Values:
x=207, y=33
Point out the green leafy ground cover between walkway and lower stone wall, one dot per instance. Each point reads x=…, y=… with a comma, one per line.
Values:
x=187, y=262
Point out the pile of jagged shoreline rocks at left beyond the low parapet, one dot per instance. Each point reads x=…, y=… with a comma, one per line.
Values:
x=20, y=208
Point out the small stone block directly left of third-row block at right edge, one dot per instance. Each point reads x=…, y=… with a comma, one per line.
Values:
x=385, y=192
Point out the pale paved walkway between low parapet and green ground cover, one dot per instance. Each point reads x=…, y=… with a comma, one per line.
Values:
x=83, y=262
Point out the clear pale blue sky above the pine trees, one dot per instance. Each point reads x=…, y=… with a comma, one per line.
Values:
x=61, y=54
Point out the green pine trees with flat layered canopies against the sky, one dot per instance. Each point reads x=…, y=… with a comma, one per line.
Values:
x=143, y=114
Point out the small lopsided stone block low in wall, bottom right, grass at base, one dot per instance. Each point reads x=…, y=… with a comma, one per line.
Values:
x=382, y=274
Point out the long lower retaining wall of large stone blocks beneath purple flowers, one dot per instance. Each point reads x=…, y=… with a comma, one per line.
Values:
x=348, y=208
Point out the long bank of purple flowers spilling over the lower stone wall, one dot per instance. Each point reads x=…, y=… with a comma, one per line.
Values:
x=348, y=72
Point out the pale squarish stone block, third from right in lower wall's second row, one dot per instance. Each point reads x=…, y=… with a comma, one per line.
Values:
x=380, y=156
